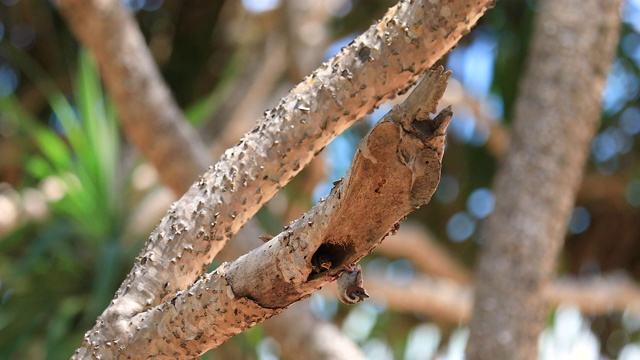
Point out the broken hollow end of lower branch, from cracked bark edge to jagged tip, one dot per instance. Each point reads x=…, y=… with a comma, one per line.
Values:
x=395, y=170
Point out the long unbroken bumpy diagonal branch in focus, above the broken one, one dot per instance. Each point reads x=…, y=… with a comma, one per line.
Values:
x=383, y=61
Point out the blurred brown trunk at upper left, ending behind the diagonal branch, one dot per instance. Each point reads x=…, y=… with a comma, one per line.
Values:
x=148, y=113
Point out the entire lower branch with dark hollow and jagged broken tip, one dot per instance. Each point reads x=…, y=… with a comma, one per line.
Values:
x=395, y=170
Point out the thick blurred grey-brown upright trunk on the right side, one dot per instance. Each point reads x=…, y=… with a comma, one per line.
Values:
x=557, y=114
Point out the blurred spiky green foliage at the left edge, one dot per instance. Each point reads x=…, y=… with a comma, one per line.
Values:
x=58, y=275
